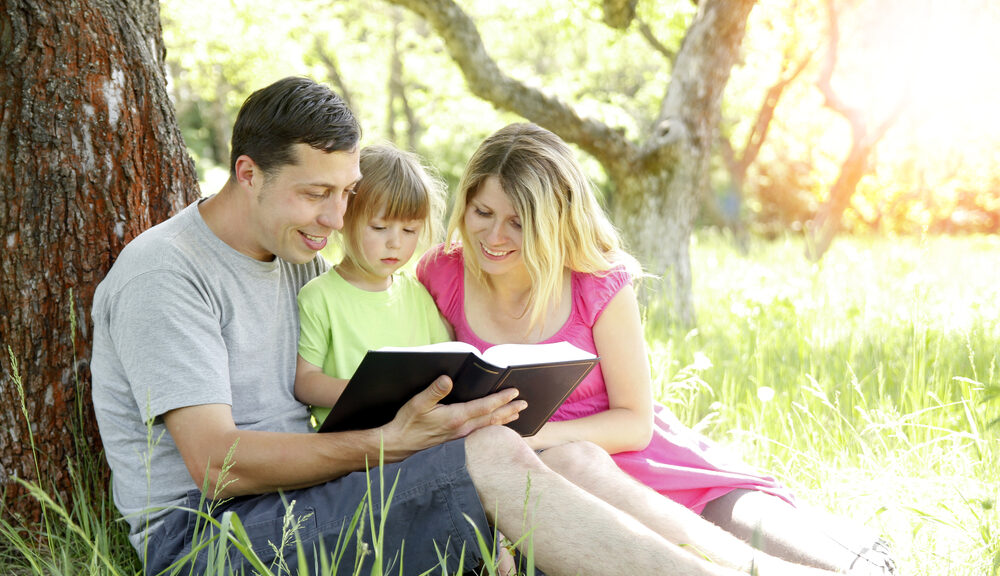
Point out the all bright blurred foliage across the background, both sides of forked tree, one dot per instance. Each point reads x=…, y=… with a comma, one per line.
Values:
x=934, y=171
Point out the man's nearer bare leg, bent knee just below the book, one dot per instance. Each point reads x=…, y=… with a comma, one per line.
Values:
x=571, y=530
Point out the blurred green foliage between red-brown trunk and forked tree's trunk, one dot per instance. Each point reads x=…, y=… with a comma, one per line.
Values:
x=219, y=51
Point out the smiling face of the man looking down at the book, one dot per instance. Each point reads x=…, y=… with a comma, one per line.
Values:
x=299, y=205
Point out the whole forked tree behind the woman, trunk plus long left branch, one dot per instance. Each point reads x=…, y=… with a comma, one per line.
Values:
x=656, y=180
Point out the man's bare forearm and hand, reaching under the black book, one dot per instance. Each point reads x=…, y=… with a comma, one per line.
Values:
x=269, y=461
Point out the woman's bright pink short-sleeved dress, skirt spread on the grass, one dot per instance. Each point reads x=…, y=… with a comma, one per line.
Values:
x=678, y=463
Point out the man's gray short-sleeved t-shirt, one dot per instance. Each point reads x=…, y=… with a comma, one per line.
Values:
x=183, y=319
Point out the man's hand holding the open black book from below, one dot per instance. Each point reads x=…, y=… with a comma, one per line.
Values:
x=424, y=422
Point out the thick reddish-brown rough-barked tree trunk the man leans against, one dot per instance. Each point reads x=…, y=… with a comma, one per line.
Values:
x=90, y=155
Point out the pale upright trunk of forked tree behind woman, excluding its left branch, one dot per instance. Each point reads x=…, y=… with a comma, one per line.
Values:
x=674, y=161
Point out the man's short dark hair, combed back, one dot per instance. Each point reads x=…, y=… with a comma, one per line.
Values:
x=294, y=110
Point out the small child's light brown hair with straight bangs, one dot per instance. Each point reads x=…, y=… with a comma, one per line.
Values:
x=400, y=183
